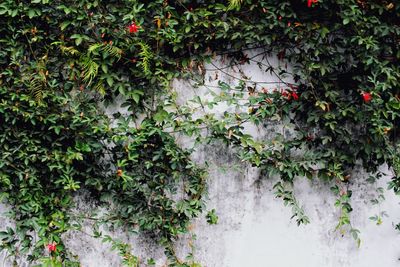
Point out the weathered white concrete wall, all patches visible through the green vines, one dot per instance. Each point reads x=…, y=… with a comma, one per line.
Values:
x=254, y=228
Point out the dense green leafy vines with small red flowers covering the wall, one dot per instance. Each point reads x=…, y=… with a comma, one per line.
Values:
x=63, y=63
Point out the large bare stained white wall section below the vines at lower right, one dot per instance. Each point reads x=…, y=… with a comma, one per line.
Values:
x=255, y=228
